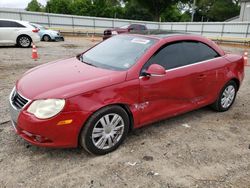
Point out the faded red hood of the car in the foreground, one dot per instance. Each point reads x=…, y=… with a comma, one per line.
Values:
x=65, y=78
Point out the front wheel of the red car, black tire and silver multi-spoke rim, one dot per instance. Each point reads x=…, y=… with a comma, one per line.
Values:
x=98, y=140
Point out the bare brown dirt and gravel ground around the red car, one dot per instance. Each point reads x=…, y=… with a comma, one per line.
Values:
x=198, y=149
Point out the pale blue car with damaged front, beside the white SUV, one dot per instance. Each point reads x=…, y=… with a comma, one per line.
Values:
x=47, y=34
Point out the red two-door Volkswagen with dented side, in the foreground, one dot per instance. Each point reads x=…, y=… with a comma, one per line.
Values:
x=123, y=83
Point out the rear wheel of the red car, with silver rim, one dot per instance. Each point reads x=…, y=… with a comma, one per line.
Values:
x=226, y=98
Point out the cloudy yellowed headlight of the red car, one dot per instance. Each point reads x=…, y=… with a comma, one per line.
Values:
x=44, y=109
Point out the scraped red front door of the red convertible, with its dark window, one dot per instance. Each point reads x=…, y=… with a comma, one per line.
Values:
x=179, y=90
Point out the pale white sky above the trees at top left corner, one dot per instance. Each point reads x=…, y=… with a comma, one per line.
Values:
x=22, y=4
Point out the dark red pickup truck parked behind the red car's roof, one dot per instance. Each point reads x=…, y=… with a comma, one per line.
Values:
x=135, y=28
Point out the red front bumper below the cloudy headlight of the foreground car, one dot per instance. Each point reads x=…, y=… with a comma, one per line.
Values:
x=48, y=133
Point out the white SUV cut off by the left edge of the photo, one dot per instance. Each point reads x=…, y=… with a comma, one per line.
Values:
x=15, y=32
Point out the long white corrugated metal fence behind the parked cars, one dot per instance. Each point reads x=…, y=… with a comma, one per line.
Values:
x=97, y=25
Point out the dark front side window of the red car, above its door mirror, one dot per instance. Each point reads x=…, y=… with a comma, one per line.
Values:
x=169, y=57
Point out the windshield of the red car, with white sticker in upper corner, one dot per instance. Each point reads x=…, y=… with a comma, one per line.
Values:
x=117, y=53
